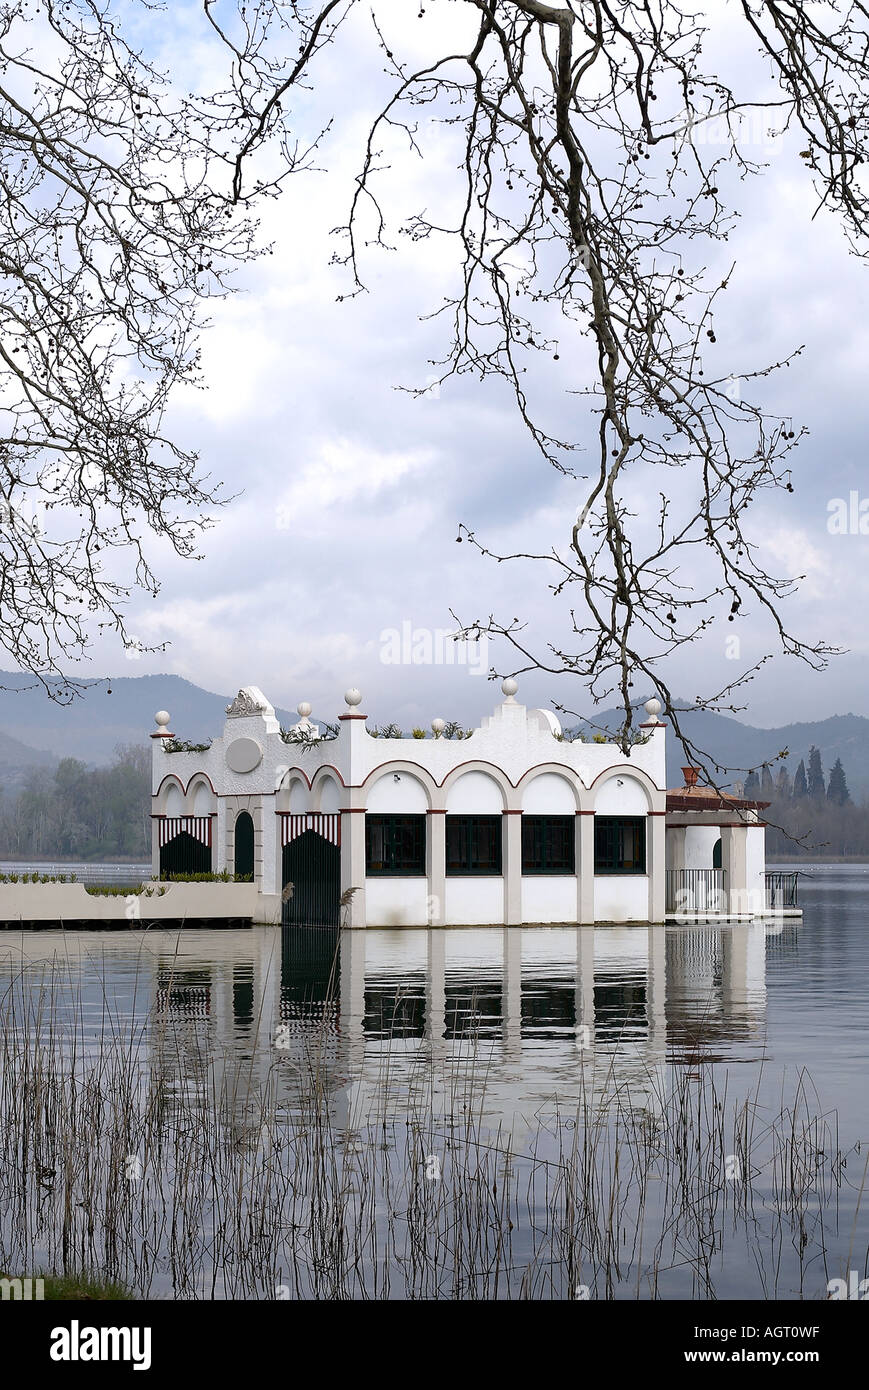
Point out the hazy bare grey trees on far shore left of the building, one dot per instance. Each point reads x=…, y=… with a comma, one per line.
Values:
x=80, y=812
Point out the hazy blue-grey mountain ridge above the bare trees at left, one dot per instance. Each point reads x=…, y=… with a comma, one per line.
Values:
x=94, y=725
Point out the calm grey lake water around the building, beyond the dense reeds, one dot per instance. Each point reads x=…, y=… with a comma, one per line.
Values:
x=522, y=1028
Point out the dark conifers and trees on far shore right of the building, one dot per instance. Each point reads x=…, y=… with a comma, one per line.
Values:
x=810, y=815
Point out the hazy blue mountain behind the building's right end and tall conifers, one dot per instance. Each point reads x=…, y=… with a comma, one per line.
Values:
x=732, y=744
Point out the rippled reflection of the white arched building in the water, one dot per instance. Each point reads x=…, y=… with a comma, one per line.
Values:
x=511, y=1022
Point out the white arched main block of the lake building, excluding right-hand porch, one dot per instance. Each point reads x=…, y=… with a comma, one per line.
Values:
x=508, y=826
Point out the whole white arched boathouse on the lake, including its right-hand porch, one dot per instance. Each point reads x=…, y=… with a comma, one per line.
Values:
x=511, y=825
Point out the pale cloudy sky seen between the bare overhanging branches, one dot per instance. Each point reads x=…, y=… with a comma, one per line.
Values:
x=351, y=491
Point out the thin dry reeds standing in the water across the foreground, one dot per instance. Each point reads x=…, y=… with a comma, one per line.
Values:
x=137, y=1149
